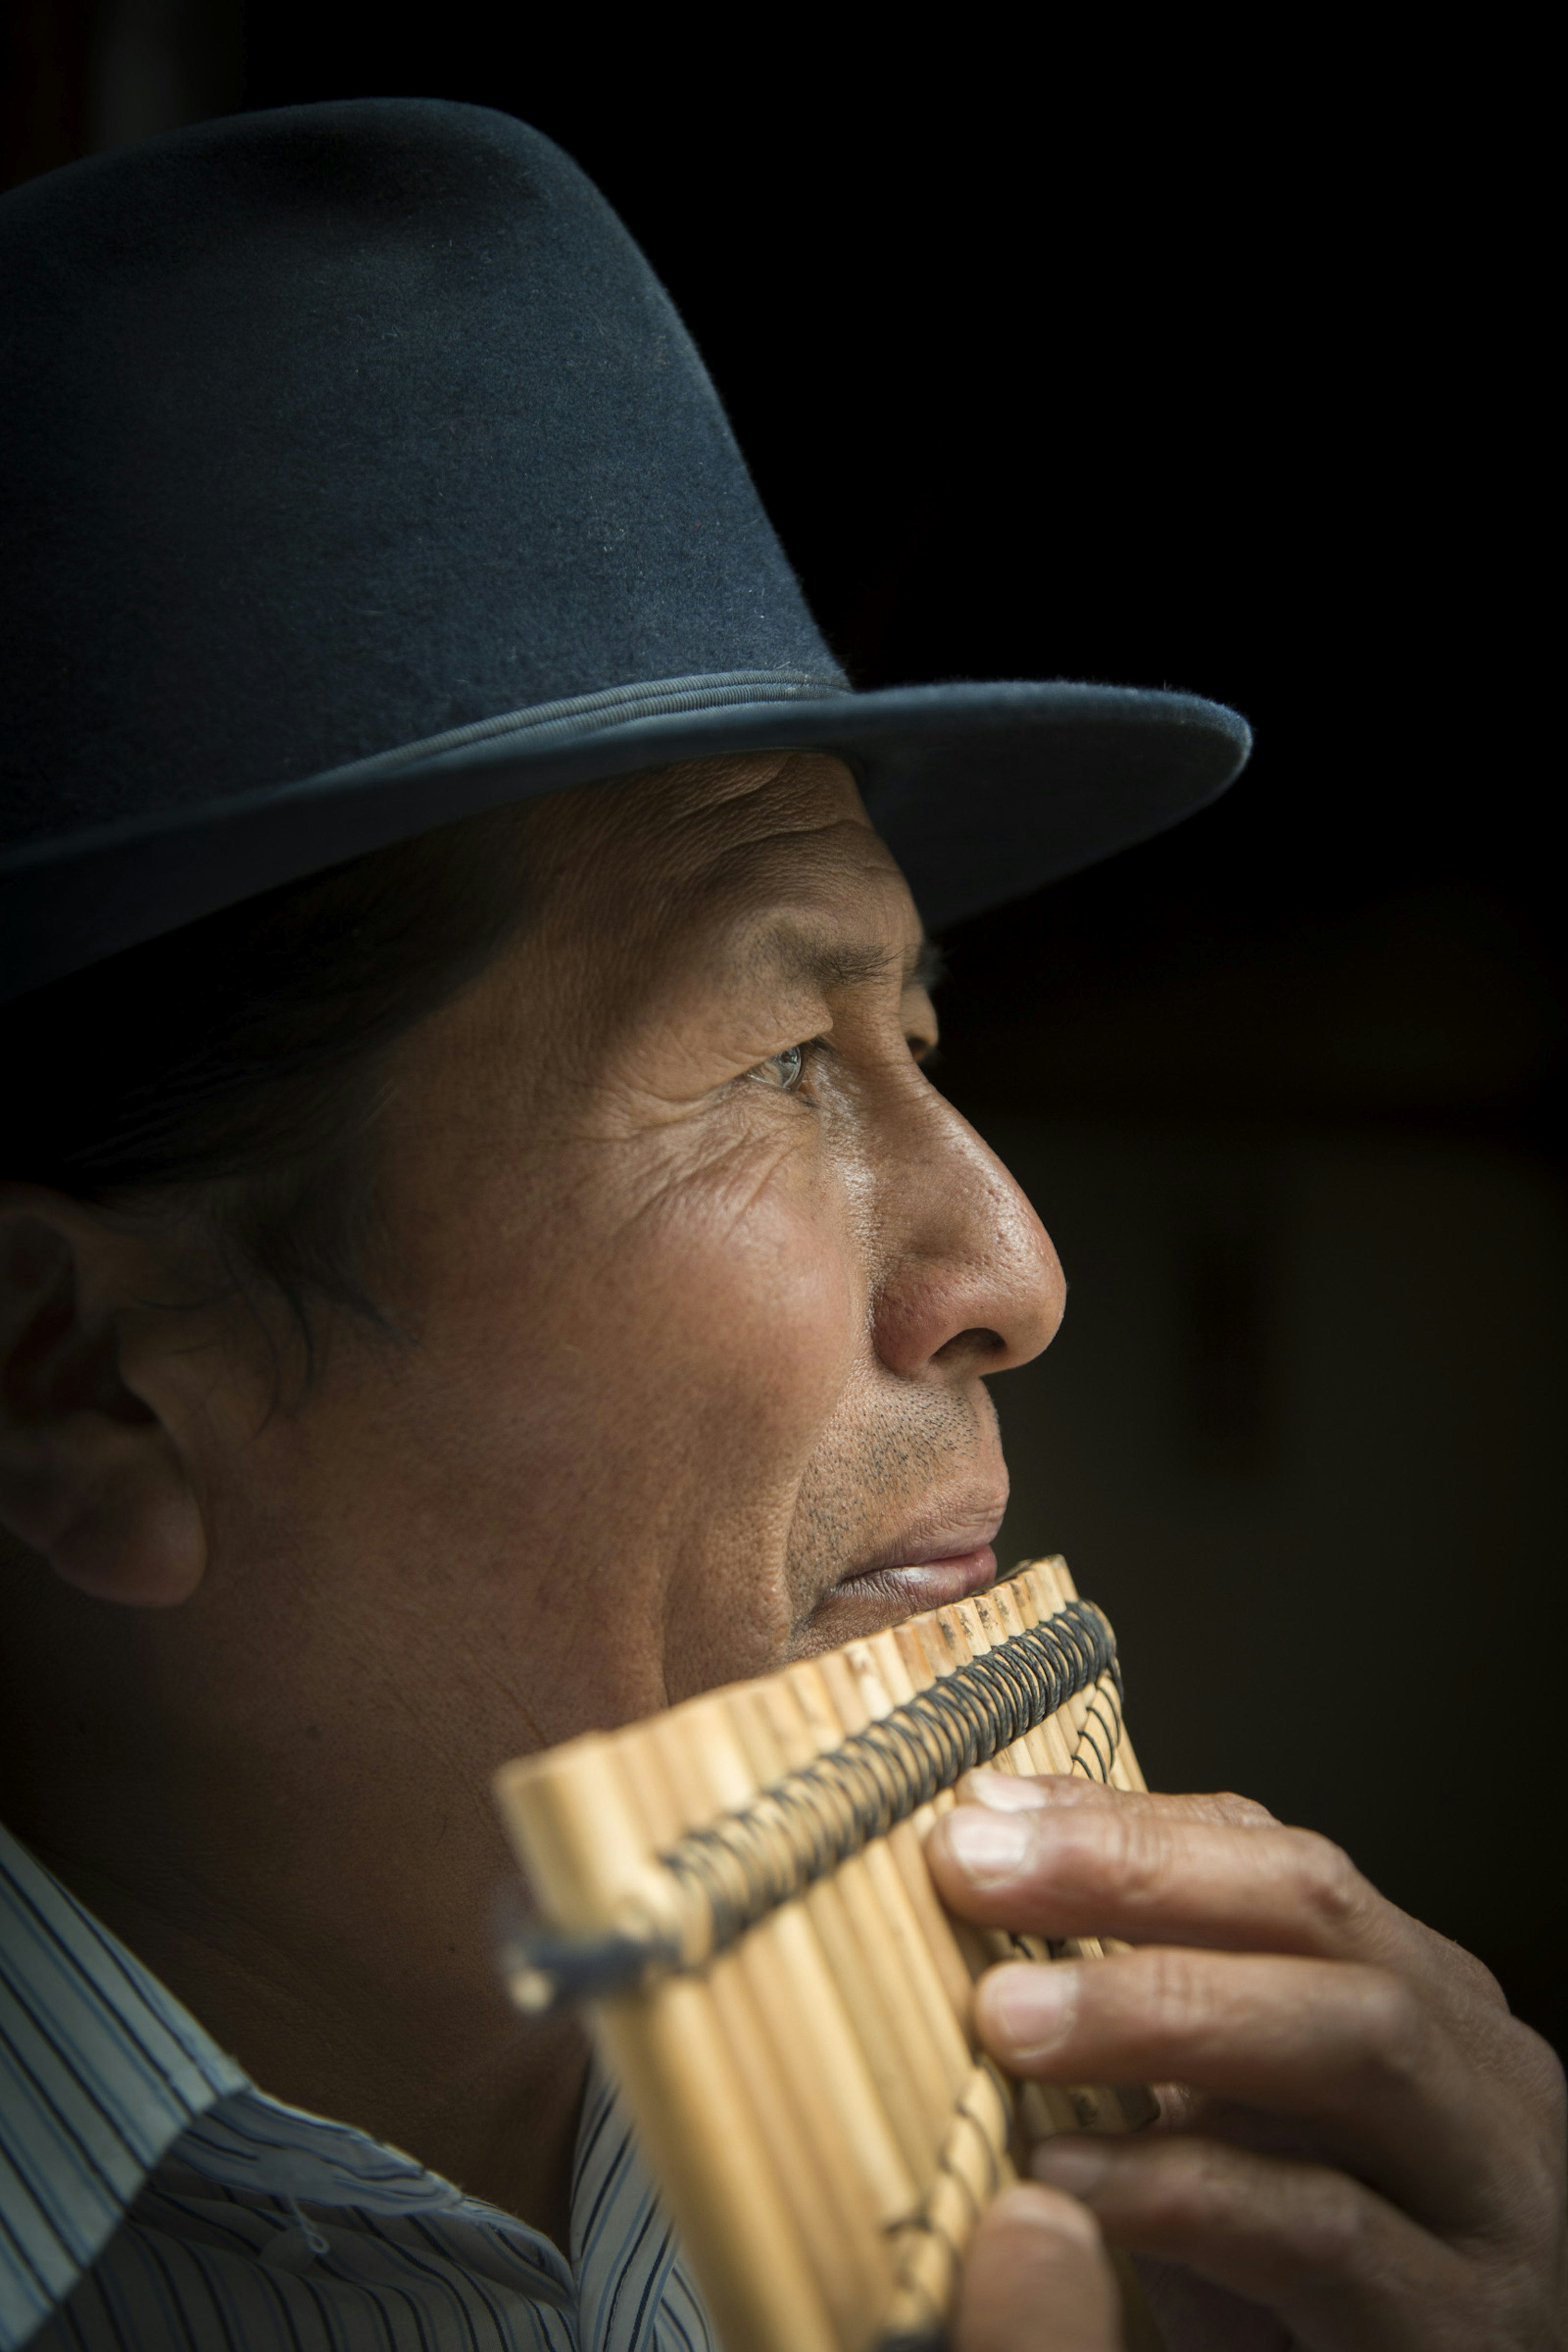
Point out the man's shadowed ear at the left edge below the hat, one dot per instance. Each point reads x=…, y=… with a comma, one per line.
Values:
x=88, y=1471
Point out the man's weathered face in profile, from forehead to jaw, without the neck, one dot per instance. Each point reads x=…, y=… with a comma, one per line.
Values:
x=702, y=1283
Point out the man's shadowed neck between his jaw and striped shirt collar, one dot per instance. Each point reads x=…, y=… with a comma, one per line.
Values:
x=328, y=1923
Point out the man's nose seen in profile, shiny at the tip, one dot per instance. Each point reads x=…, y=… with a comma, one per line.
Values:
x=967, y=1276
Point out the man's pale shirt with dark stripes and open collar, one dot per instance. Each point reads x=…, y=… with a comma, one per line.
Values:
x=154, y=2200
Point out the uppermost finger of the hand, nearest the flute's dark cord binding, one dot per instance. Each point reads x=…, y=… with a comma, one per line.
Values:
x=1153, y=1873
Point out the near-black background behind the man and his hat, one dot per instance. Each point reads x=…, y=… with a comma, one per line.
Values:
x=1209, y=363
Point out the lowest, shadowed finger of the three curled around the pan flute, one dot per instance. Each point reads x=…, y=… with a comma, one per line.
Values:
x=1339, y=2264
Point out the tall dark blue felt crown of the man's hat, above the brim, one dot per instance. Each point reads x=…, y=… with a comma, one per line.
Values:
x=337, y=429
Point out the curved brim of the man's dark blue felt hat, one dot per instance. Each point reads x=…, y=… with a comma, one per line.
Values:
x=984, y=794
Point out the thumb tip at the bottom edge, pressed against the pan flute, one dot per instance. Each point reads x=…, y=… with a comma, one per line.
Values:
x=1038, y=2280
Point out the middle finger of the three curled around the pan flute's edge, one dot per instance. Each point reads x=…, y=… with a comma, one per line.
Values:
x=1334, y=2045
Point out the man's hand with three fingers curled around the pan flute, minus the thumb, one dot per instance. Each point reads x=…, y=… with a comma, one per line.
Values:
x=1355, y=2134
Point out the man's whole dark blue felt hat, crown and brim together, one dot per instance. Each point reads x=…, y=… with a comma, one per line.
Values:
x=356, y=474
